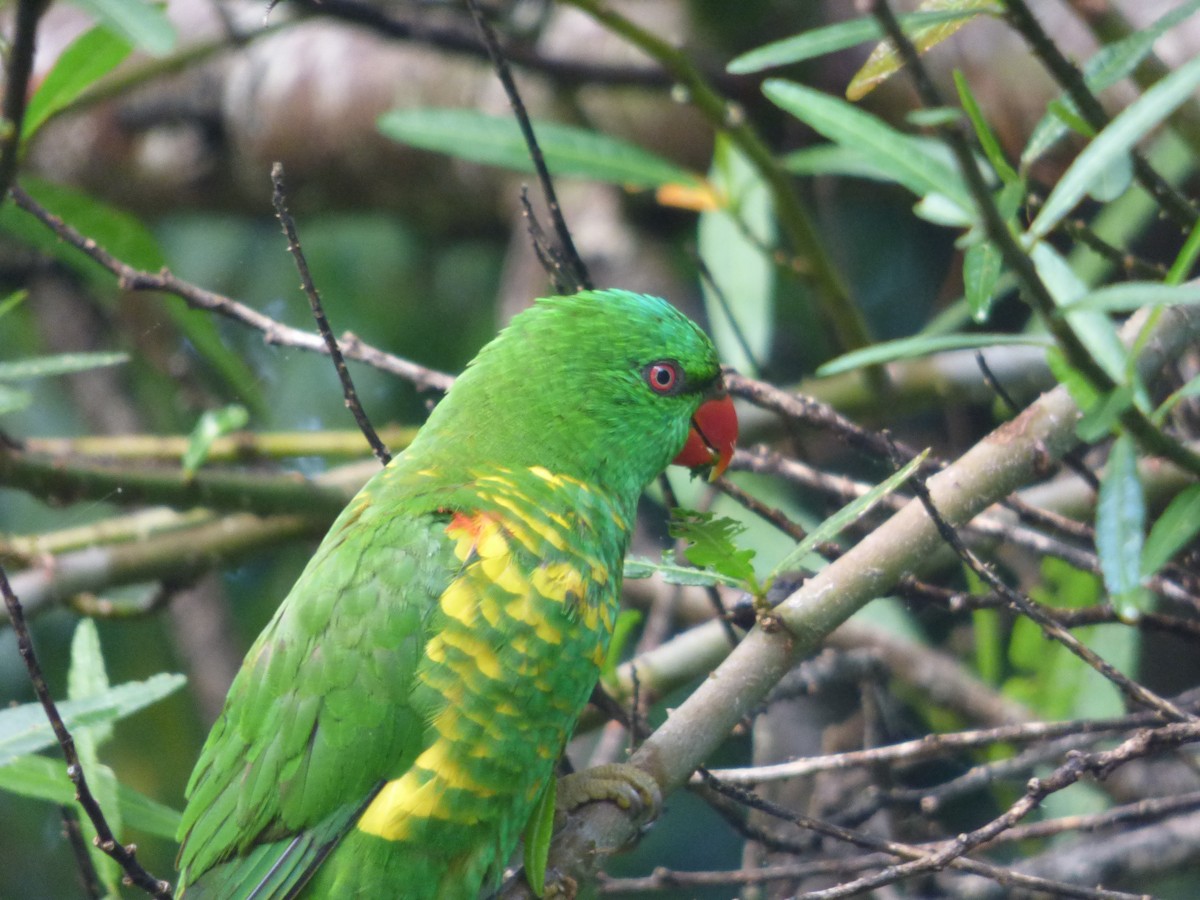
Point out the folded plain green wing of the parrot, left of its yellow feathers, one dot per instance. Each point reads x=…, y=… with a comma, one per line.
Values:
x=326, y=706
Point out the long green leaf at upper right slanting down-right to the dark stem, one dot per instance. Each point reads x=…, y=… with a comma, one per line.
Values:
x=907, y=159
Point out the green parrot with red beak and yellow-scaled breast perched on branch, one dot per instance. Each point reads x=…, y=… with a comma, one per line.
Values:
x=397, y=723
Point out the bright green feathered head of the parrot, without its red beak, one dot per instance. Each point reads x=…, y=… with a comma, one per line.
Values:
x=568, y=386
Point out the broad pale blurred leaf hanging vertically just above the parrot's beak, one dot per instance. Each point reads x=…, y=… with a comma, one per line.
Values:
x=735, y=244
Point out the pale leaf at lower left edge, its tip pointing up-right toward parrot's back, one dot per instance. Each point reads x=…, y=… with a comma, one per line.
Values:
x=26, y=730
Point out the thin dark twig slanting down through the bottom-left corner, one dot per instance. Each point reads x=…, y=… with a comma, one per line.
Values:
x=125, y=856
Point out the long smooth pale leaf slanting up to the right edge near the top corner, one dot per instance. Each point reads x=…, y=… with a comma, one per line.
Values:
x=1115, y=141
